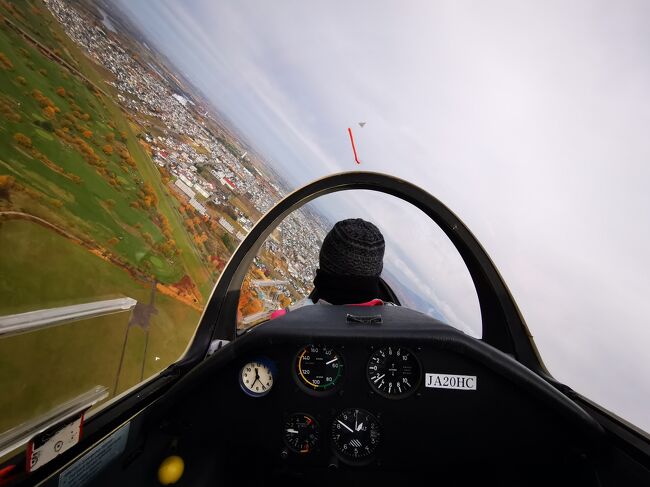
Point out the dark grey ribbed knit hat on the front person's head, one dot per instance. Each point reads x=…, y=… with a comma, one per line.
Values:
x=353, y=247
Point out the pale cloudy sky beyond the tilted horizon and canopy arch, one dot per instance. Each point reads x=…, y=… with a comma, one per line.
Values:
x=528, y=119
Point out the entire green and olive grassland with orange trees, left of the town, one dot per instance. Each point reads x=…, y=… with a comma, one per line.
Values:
x=54, y=165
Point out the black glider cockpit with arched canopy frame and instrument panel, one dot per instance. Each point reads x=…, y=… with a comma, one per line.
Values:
x=356, y=395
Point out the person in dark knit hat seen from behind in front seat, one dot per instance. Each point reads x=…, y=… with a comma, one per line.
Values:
x=350, y=263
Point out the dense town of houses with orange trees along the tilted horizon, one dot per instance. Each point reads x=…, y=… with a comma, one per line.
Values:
x=204, y=169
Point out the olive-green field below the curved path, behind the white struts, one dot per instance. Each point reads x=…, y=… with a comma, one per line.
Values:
x=39, y=370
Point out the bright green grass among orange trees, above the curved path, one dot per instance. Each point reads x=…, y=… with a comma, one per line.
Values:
x=86, y=204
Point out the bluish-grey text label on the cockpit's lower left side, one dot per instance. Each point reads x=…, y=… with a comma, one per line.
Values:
x=88, y=466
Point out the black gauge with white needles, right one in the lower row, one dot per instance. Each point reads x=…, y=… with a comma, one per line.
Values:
x=355, y=435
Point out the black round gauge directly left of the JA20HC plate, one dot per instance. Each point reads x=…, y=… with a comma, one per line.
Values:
x=393, y=372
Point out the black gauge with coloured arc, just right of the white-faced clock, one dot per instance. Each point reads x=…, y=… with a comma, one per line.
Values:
x=319, y=368
